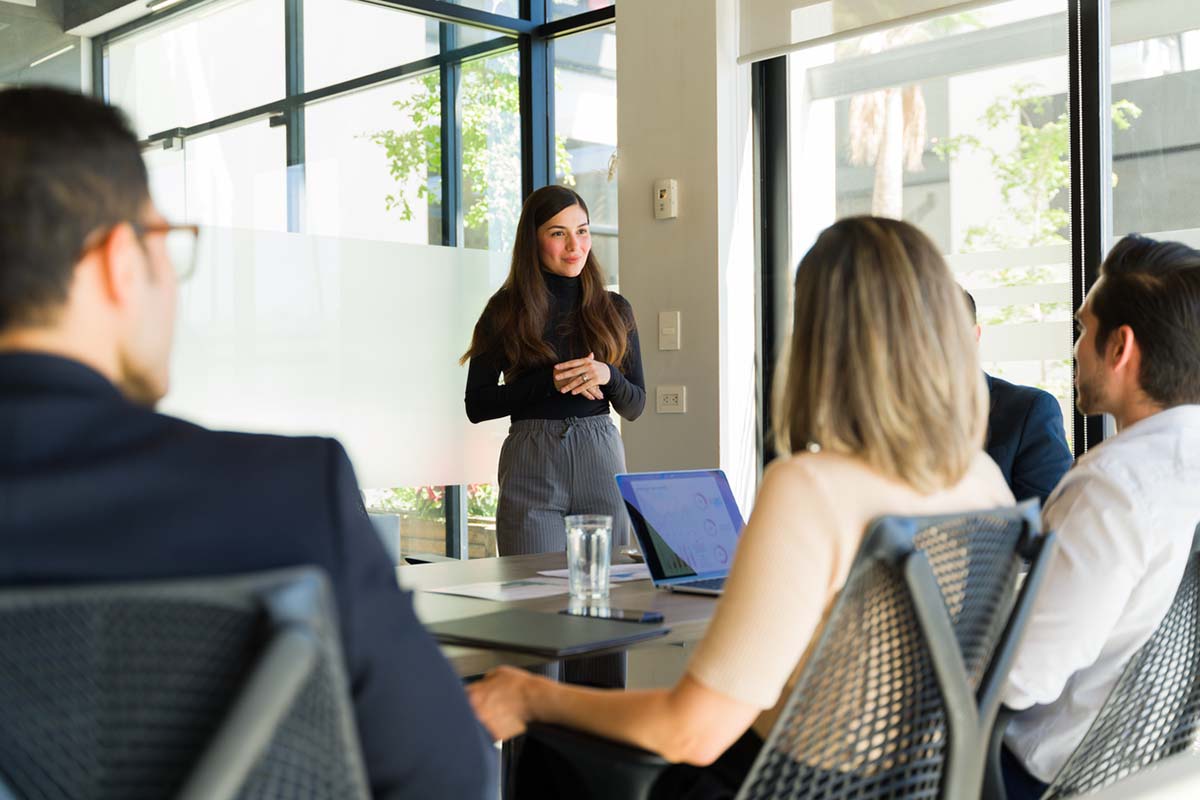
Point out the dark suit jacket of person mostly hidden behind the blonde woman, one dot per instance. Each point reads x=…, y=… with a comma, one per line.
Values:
x=1027, y=438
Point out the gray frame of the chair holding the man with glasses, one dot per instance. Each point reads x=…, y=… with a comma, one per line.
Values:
x=302, y=634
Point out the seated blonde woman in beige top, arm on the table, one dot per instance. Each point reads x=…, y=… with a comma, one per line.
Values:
x=884, y=410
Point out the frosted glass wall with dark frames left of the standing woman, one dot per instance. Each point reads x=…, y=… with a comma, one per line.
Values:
x=326, y=302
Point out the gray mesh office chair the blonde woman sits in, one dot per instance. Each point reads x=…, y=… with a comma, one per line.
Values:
x=905, y=679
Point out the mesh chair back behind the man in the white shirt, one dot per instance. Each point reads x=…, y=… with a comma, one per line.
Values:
x=1154, y=711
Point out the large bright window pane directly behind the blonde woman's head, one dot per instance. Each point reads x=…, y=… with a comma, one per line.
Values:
x=958, y=125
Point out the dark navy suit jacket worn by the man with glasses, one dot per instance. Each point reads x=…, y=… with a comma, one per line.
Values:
x=97, y=489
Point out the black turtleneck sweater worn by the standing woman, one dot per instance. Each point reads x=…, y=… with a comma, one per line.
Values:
x=532, y=395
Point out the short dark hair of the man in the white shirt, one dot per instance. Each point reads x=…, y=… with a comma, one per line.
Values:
x=1155, y=288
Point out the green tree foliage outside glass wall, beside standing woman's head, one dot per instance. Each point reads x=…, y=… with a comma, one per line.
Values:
x=490, y=103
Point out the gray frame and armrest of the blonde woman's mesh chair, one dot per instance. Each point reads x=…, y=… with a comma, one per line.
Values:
x=611, y=769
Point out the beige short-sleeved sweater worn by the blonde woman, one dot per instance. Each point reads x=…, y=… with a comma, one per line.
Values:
x=795, y=556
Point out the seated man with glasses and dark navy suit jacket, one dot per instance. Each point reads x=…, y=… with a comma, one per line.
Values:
x=97, y=486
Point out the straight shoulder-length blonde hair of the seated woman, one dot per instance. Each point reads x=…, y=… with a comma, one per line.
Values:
x=883, y=363
